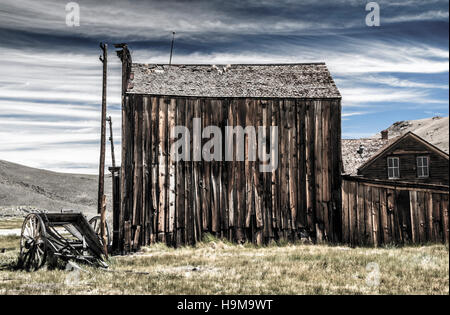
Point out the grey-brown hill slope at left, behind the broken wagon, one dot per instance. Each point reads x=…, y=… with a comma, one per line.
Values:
x=23, y=187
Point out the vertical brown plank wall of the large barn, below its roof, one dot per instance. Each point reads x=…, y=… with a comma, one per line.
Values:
x=164, y=200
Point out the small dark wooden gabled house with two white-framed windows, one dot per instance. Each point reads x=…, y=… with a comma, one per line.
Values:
x=408, y=158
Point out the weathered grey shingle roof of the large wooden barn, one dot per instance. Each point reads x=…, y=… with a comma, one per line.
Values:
x=308, y=80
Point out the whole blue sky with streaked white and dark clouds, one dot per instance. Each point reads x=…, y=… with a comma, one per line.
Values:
x=50, y=75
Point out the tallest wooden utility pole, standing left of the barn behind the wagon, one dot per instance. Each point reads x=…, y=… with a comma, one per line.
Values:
x=101, y=171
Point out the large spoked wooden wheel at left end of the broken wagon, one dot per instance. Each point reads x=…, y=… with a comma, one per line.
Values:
x=33, y=243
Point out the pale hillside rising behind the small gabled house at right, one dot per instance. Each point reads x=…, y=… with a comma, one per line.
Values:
x=435, y=130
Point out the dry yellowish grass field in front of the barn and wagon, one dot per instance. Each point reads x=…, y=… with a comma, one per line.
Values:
x=216, y=267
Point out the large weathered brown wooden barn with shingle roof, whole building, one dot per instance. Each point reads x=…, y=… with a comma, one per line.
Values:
x=178, y=201
